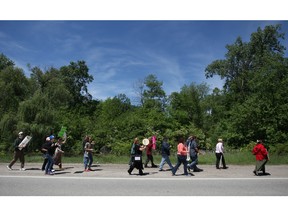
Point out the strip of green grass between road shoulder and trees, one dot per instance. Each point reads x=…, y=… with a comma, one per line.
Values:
x=232, y=158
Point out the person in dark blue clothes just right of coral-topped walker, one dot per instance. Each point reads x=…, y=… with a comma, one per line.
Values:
x=193, y=146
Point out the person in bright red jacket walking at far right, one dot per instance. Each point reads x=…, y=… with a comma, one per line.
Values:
x=262, y=158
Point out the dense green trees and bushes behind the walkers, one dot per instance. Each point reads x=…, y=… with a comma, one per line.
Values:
x=252, y=104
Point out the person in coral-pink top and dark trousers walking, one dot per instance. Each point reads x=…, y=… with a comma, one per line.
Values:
x=181, y=157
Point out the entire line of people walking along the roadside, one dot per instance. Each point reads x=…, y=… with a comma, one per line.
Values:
x=187, y=154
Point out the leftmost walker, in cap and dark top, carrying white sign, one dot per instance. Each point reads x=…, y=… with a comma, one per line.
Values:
x=18, y=154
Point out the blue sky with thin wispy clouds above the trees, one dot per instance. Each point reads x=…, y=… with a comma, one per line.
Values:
x=120, y=53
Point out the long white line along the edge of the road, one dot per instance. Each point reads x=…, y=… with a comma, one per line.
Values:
x=145, y=179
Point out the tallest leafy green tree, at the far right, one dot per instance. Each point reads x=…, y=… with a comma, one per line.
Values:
x=255, y=76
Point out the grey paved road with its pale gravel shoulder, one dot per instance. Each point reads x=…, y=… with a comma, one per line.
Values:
x=113, y=180
